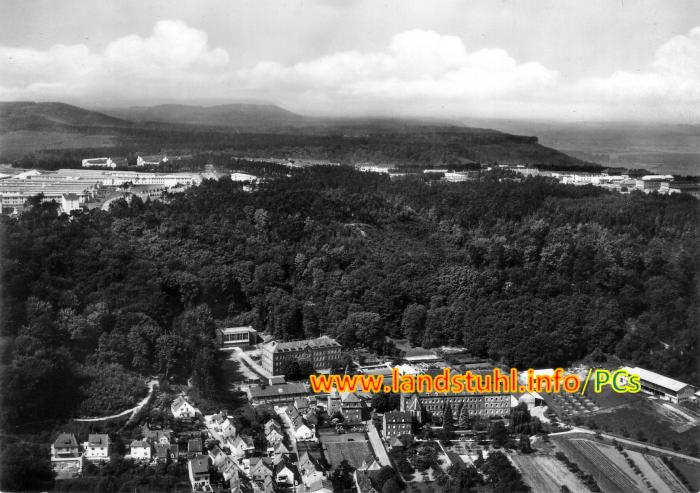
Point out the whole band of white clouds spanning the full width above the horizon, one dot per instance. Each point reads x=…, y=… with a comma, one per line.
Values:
x=418, y=72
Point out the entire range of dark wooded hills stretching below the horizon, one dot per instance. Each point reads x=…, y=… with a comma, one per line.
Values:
x=53, y=134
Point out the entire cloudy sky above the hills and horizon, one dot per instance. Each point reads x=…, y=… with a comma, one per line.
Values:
x=569, y=60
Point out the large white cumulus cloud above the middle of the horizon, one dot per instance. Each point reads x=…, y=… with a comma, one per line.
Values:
x=416, y=64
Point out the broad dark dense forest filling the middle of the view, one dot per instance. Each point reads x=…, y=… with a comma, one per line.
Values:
x=528, y=273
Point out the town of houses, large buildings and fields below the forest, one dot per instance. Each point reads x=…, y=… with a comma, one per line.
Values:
x=283, y=437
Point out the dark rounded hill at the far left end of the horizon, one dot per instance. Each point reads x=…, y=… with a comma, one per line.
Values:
x=25, y=115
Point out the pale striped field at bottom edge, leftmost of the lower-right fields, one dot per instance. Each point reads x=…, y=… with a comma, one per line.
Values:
x=546, y=474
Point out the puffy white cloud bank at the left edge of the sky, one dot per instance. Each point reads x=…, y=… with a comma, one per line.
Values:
x=173, y=60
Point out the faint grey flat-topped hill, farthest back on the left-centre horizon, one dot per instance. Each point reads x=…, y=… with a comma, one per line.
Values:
x=238, y=115
